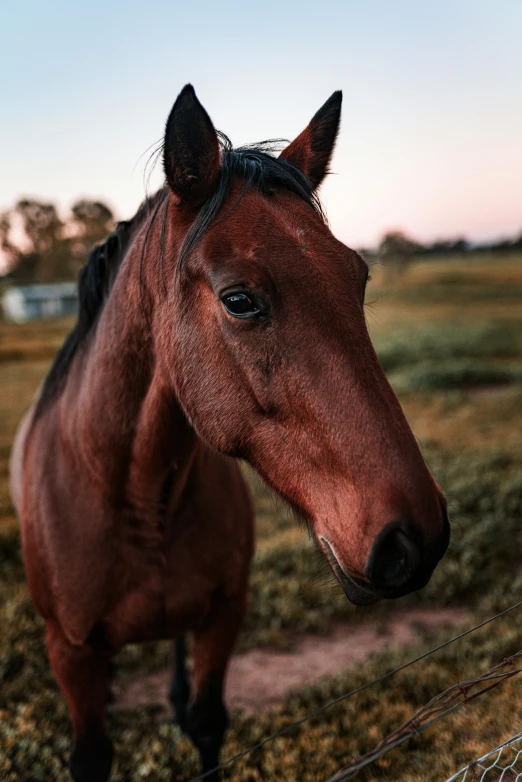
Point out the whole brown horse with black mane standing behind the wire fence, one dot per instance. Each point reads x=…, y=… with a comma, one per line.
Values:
x=224, y=320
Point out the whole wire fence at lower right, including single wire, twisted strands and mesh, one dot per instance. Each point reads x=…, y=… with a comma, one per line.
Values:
x=439, y=707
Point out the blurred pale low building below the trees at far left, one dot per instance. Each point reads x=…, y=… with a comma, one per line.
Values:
x=31, y=302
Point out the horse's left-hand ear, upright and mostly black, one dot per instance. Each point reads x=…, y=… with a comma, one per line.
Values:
x=191, y=156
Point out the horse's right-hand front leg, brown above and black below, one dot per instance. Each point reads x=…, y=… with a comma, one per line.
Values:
x=207, y=717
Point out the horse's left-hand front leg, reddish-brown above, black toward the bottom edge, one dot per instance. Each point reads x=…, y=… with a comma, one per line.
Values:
x=83, y=676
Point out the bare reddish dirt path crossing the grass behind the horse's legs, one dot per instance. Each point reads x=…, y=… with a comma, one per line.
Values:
x=263, y=677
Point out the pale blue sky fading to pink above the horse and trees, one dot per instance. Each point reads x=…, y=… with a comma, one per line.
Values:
x=431, y=134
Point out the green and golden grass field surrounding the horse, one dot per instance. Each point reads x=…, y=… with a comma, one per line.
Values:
x=450, y=340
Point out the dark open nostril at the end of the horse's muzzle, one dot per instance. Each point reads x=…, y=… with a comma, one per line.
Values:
x=394, y=558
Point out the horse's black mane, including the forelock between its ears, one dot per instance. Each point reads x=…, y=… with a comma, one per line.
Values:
x=255, y=164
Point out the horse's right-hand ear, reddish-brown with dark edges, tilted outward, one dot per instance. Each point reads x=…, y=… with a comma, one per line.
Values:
x=311, y=151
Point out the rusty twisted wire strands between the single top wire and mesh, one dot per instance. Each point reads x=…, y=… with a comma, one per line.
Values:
x=443, y=704
